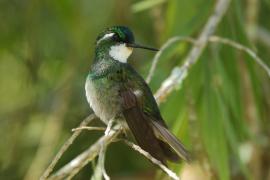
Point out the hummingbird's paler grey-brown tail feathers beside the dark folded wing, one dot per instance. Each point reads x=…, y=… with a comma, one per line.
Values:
x=169, y=139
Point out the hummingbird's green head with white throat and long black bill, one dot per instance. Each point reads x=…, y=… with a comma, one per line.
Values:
x=119, y=42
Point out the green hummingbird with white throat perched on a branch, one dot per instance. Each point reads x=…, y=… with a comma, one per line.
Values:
x=115, y=90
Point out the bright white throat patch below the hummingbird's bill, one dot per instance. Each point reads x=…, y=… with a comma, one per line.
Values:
x=120, y=52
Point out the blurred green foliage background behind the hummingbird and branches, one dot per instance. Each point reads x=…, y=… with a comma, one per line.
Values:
x=221, y=112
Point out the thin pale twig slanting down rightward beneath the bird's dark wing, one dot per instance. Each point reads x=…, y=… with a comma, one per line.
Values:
x=152, y=159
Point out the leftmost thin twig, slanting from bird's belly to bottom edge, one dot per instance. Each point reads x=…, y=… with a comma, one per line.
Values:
x=65, y=147
